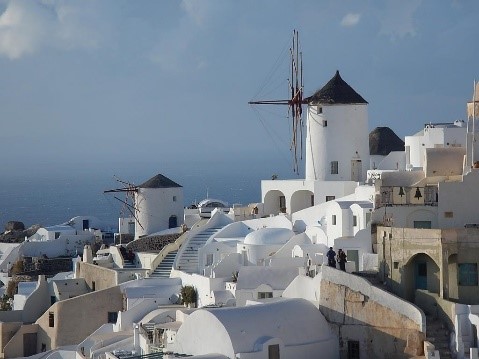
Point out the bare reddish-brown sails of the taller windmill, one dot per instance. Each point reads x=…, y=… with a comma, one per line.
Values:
x=295, y=102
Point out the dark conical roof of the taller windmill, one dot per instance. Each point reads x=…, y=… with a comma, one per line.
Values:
x=336, y=91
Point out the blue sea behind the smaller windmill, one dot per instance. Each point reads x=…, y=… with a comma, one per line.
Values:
x=53, y=197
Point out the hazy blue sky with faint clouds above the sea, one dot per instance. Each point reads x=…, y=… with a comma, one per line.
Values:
x=89, y=83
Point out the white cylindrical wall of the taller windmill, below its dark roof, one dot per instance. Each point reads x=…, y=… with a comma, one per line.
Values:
x=336, y=135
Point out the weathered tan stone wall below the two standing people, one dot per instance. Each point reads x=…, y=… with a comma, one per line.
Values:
x=377, y=330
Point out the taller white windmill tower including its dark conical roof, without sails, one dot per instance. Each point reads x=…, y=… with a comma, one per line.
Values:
x=337, y=136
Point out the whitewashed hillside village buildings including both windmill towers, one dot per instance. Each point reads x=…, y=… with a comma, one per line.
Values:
x=255, y=281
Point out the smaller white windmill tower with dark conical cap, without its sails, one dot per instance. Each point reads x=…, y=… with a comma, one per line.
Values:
x=158, y=205
